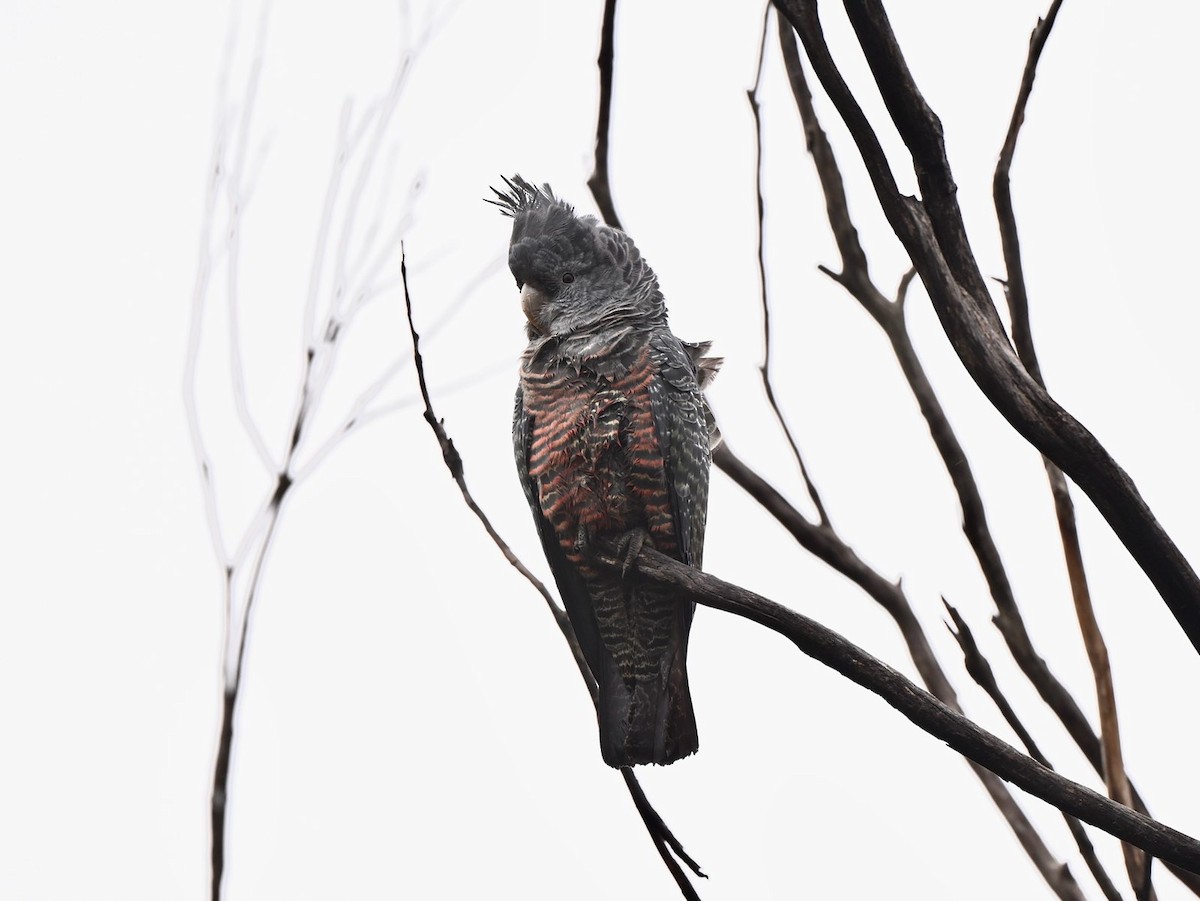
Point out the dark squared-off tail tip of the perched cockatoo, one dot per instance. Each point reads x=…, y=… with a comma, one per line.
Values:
x=651, y=722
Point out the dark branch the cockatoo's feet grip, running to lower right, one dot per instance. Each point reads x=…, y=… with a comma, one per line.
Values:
x=917, y=705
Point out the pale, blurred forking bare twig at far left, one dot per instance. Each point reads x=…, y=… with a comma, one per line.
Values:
x=242, y=588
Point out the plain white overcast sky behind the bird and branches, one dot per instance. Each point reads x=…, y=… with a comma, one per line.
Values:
x=412, y=724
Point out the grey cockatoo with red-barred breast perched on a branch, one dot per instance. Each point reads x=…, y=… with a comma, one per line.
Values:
x=613, y=441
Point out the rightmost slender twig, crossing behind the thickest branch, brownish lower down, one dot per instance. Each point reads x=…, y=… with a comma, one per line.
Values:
x=1115, y=778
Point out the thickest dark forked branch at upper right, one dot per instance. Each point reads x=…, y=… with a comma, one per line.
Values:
x=933, y=232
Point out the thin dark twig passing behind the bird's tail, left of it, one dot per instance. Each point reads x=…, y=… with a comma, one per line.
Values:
x=669, y=848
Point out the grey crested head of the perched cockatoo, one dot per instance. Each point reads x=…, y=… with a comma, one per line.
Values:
x=573, y=274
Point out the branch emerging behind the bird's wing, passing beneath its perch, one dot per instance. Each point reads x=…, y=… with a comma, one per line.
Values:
x=825, y=544
